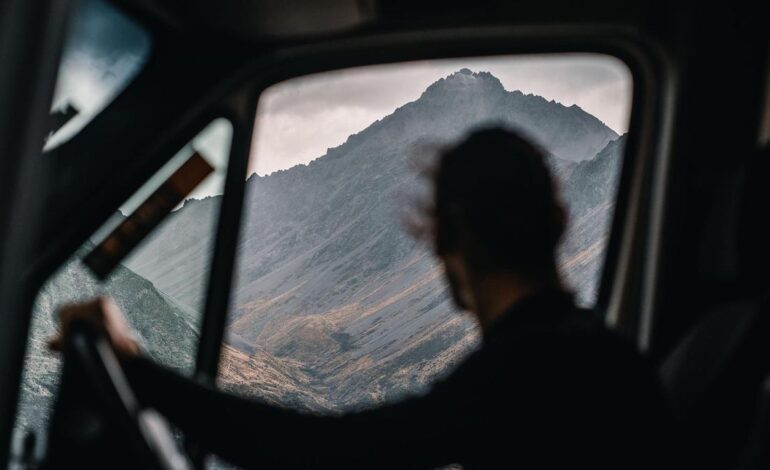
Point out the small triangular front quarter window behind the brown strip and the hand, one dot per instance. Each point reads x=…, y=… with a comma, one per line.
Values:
x=160, y=286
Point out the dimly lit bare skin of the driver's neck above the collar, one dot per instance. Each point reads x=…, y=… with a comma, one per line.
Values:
x=495, y=294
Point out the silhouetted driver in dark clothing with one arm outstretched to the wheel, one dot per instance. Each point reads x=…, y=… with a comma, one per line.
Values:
x=550, y=386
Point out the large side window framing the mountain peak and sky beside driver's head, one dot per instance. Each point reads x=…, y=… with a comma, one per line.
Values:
x=335, y=307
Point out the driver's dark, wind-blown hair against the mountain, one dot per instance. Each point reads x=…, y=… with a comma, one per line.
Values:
x=494, y=200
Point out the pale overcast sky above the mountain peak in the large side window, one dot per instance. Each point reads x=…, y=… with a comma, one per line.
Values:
x=299, y=119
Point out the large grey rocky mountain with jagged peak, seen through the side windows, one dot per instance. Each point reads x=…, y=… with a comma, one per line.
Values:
x=328, y=282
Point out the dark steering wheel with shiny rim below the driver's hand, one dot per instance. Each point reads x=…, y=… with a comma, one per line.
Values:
x=97, y=416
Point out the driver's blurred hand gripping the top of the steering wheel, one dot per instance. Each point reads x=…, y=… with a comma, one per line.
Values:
x=103, y=313
